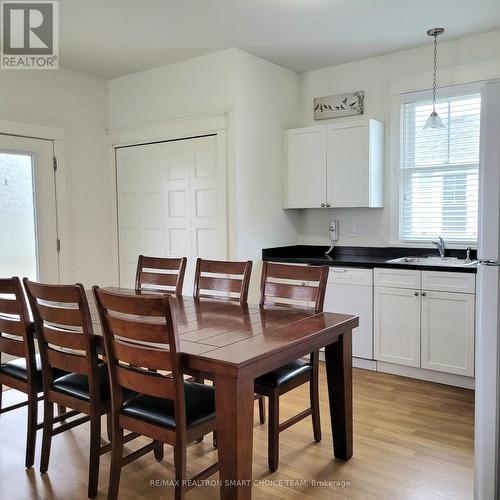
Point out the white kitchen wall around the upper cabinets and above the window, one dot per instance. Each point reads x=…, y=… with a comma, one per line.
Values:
x=373, y=76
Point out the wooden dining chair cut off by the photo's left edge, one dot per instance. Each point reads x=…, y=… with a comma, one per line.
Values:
x=23, y=374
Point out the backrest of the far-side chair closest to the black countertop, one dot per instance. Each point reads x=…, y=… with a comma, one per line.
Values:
x=280, y=285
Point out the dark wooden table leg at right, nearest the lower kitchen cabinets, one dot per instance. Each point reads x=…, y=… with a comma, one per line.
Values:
x=338, y=358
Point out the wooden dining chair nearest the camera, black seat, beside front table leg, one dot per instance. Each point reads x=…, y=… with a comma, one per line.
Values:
x=143, y=356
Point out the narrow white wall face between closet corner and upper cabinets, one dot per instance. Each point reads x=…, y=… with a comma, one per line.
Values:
x=266, y=97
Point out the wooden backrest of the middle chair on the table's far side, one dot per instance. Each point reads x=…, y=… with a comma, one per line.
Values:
x=222, y=279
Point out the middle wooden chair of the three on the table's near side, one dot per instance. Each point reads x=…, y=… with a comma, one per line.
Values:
x=66, y=342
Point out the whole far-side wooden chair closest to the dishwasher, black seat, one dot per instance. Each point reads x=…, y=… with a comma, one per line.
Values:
x=293, y=286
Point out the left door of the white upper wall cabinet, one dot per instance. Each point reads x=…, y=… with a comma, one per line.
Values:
x=305, y=184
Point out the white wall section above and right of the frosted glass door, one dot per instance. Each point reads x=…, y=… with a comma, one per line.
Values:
x=77, y=103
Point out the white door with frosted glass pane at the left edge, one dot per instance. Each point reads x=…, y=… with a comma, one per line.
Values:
x=28, y=220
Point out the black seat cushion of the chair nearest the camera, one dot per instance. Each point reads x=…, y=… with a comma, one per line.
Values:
x=200, y=407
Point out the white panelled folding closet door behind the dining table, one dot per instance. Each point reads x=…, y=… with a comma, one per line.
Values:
x=171, y=203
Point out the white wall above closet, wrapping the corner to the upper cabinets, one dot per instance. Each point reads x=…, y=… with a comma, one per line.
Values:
x=261, y=99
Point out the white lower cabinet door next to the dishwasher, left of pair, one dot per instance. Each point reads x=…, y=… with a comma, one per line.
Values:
x=396, y=315
